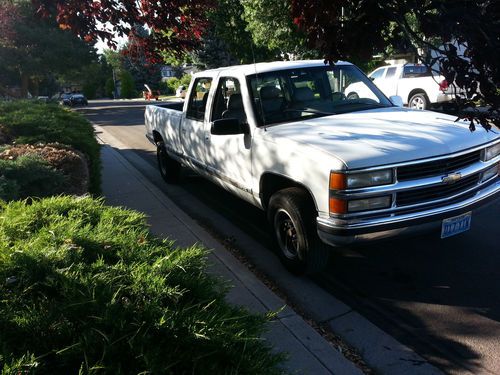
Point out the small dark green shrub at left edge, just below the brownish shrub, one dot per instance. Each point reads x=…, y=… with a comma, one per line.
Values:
x=29, y=176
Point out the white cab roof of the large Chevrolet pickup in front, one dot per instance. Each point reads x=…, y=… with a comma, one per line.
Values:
x=269, y=66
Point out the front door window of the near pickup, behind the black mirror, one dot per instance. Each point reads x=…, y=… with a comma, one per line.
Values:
x=228, y=100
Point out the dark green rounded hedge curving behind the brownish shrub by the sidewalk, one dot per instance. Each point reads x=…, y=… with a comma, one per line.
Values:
x=32, y=122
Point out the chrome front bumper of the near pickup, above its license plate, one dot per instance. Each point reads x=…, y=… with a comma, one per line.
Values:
x=337, y=232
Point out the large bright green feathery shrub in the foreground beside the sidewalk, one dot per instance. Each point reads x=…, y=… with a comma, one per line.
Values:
x=85, y=288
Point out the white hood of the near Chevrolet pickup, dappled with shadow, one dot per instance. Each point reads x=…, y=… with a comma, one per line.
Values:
x=383, y=136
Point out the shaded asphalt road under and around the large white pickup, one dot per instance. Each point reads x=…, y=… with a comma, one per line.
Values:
x=439, y=297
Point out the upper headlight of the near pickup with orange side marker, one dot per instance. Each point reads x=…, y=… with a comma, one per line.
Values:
x=341, y=181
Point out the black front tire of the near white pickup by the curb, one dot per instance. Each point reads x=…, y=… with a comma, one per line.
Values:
x=293, y=219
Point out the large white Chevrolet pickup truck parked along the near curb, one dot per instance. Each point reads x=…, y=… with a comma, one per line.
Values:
x=327, y=169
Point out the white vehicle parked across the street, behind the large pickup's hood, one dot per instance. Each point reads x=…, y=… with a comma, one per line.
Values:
x=414, y=83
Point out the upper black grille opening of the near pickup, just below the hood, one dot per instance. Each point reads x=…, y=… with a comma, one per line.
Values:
x=438, y=167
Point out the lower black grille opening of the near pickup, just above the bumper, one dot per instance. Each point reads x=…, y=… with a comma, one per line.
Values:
x=406, y=198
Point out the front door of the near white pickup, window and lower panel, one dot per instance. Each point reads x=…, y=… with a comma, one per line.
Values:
x=229, y=156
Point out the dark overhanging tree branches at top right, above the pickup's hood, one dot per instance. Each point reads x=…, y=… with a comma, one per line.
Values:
x=466, y=48
